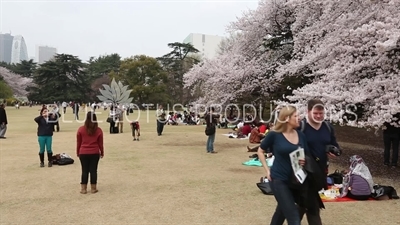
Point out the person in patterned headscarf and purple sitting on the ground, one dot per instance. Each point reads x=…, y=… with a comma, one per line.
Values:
x=357, y=183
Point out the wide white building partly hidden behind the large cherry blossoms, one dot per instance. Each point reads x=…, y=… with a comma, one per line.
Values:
x=206, y=44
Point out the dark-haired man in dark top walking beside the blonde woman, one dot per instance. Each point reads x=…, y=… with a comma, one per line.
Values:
x=319, y=134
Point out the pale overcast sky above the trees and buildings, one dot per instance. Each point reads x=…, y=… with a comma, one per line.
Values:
x=88, y=28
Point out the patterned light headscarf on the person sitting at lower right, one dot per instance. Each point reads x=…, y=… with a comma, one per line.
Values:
x=357, y=167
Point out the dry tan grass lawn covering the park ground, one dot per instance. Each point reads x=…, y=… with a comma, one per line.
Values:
x=168, y=179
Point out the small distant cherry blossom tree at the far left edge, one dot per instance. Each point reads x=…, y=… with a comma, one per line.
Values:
x=17, y=83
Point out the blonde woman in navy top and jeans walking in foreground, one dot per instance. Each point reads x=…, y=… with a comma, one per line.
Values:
x=283, y=140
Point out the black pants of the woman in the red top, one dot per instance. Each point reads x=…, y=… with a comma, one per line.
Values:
x=89, y=165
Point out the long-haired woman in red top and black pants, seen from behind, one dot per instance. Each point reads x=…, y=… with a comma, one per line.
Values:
x=89, y=149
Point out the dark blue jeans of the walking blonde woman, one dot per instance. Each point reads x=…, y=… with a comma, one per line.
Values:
x=286, y=208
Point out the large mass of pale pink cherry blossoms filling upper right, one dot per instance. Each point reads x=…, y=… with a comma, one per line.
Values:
x=345, y=52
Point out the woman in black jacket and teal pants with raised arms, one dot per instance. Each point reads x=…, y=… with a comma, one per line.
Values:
x=45, y=135
